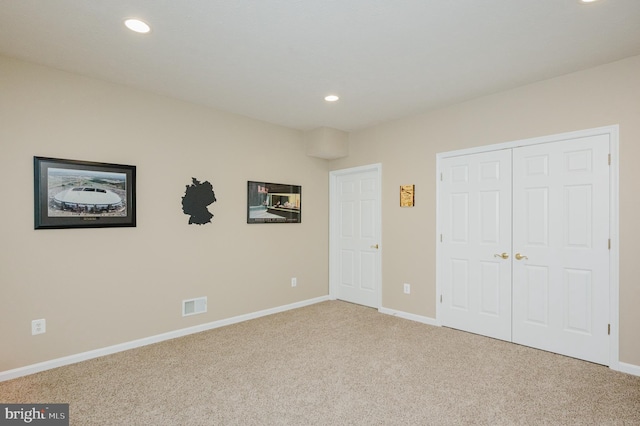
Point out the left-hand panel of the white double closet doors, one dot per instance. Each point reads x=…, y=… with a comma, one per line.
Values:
x=475, y=202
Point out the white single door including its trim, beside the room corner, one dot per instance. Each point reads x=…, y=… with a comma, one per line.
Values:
x=356, y=232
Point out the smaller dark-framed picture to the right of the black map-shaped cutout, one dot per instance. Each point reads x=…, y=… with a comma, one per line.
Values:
x=273, y=202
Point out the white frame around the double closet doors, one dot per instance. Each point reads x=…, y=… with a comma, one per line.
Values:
x=614, y=226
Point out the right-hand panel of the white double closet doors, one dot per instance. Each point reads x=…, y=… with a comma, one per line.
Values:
x=561, y=226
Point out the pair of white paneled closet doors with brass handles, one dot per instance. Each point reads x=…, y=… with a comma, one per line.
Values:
x=525, y=245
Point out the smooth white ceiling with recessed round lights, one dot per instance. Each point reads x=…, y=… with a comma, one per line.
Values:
x=275, y=60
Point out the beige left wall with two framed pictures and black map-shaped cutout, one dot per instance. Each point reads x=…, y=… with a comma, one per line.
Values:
x=100, y=287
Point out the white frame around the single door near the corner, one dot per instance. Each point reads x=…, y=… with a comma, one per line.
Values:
x=334, y=217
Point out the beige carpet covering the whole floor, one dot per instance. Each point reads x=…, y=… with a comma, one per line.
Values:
x=334, y=363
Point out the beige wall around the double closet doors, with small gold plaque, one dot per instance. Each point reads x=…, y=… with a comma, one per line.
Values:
x=407, y=149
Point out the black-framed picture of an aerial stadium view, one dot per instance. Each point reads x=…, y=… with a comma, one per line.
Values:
x=83, y=194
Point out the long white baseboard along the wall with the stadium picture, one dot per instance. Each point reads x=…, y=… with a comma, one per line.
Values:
x=84, y=356
